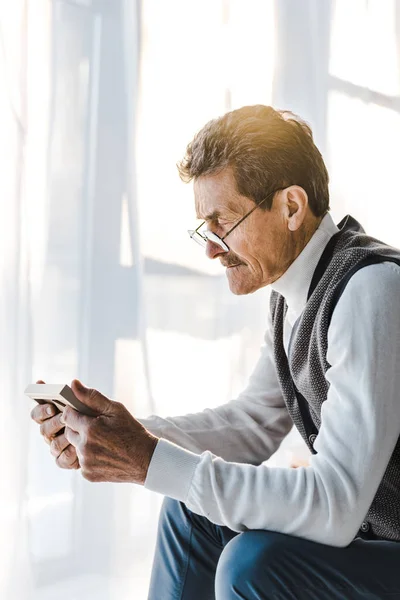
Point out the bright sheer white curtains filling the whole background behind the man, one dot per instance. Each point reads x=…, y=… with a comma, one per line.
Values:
x=98, y=278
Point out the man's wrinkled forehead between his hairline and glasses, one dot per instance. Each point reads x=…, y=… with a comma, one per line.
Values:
x=216, y=195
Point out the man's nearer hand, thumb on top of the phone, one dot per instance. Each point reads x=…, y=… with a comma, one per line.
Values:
x=113, y=446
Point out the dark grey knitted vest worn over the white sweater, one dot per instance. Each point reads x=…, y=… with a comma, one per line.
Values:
x=302, y=376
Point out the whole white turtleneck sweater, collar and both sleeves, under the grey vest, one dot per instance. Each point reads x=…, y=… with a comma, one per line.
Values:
x=211, y=460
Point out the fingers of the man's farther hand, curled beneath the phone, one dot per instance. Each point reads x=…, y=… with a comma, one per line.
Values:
x=48, y=417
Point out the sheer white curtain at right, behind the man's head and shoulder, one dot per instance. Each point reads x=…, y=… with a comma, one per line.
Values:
x=338, y=65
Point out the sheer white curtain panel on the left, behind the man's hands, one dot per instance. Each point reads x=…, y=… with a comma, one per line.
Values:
x=68, y=226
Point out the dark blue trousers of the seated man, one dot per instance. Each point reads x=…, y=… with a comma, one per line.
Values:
x=197, y=560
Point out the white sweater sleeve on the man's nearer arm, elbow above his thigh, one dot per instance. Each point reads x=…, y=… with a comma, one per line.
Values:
x=327, y=501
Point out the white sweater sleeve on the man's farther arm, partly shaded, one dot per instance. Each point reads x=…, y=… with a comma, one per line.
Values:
x=246, y=430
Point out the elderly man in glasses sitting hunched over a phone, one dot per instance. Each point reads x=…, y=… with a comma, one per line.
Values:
x=232, y=527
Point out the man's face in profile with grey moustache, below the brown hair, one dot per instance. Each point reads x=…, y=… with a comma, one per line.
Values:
x=262, y=247
